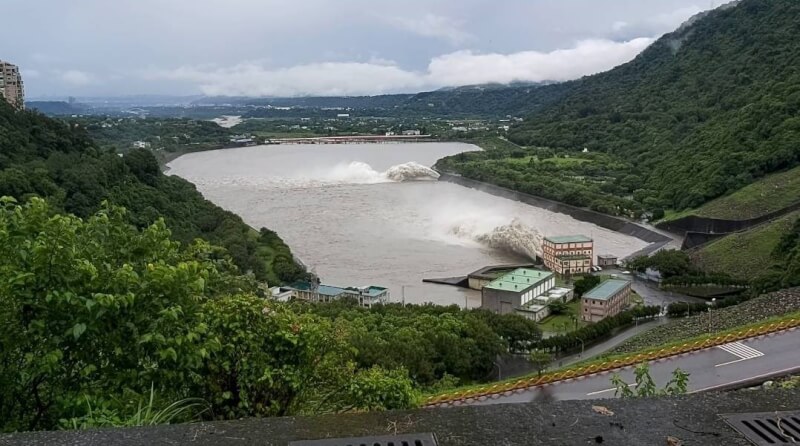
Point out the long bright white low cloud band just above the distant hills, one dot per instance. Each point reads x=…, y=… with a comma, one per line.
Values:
x=380, y=76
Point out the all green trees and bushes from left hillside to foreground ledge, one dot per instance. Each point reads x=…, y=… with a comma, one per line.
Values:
x=112, y=316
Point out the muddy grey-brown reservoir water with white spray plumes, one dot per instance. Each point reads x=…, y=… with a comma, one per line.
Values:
x=372, y=214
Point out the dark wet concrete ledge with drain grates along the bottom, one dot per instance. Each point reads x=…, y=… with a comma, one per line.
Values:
x=694, y=419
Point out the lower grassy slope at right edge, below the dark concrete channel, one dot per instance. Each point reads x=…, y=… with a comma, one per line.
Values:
x=747, y=253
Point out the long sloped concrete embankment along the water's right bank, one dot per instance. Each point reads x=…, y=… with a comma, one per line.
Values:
x=605, y=221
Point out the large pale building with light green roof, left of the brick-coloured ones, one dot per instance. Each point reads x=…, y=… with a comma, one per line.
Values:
x=524, y=291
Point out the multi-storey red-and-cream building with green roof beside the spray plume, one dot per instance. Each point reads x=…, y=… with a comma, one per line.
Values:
x=568, y=254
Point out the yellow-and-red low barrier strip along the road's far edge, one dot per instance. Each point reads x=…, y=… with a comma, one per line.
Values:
x=510, y=387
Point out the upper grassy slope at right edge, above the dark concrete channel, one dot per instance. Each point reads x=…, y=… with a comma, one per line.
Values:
x=768, y=194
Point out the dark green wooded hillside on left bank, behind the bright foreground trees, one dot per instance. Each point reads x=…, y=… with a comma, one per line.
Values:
x=48, y=158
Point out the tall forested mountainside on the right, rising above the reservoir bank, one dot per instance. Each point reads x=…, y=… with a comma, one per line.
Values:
x=700, y=113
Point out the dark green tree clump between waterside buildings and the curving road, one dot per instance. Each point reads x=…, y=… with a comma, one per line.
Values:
x=437, y=345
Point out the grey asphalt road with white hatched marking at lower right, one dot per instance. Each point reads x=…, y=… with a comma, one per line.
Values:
x=709, y=369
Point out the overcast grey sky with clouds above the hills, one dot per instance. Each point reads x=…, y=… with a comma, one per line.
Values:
x=320, y=47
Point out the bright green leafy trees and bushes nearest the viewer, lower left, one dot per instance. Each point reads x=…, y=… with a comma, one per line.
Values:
x=95, y=313
